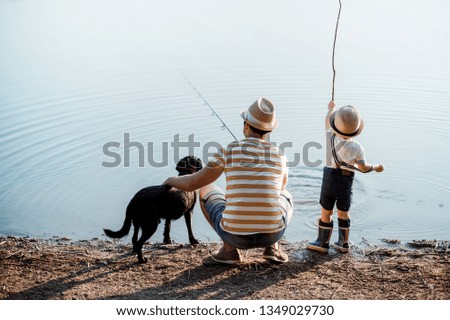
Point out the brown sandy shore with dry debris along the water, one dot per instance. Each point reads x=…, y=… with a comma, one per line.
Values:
x=59, y=268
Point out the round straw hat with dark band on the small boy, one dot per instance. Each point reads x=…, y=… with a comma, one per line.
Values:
x=346, y=122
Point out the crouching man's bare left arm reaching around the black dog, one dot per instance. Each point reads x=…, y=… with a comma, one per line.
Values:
x=191, y=182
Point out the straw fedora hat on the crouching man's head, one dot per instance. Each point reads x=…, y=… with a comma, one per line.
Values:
x=261, y=115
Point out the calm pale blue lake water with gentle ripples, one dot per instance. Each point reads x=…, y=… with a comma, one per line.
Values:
x=76, y=75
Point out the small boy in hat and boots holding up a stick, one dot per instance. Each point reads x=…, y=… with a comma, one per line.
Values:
x=344, y=156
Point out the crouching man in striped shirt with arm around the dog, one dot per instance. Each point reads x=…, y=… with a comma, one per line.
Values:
x=256, y=208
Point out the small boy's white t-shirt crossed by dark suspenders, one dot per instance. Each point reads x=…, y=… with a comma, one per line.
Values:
x=348, y=151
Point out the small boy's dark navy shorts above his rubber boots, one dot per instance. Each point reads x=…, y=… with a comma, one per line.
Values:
x=336, y=189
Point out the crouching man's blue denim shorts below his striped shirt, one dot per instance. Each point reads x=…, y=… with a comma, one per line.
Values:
x=215, y=205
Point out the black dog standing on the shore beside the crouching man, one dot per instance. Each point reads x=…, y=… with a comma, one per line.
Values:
x=152, y=204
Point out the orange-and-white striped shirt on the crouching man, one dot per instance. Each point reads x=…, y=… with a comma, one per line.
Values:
x=254, y=171
